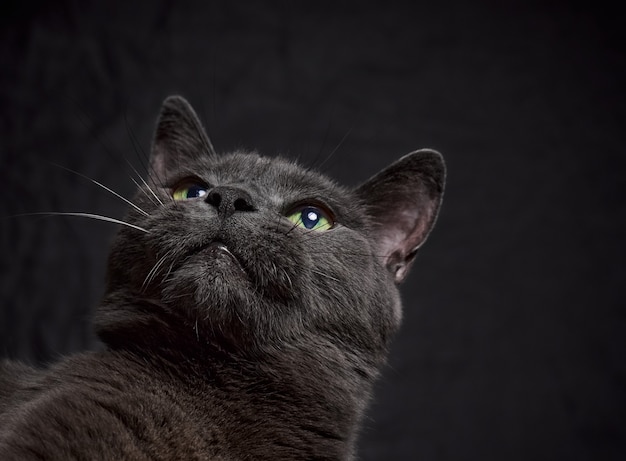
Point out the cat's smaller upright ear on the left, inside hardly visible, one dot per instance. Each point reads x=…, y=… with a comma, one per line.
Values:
x=179, y=138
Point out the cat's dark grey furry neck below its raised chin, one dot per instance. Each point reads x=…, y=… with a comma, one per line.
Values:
x=302, y=401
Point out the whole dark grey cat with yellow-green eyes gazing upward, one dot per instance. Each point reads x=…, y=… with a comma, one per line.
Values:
x=249, y=306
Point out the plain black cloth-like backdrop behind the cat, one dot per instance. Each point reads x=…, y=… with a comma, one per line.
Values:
x=513, y=345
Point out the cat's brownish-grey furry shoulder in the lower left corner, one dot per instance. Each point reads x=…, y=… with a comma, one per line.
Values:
x=98, y=397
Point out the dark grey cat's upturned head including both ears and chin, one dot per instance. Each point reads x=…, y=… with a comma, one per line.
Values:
x=254, y=252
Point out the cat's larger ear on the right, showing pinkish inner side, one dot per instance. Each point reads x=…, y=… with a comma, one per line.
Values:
x=403, y=201
